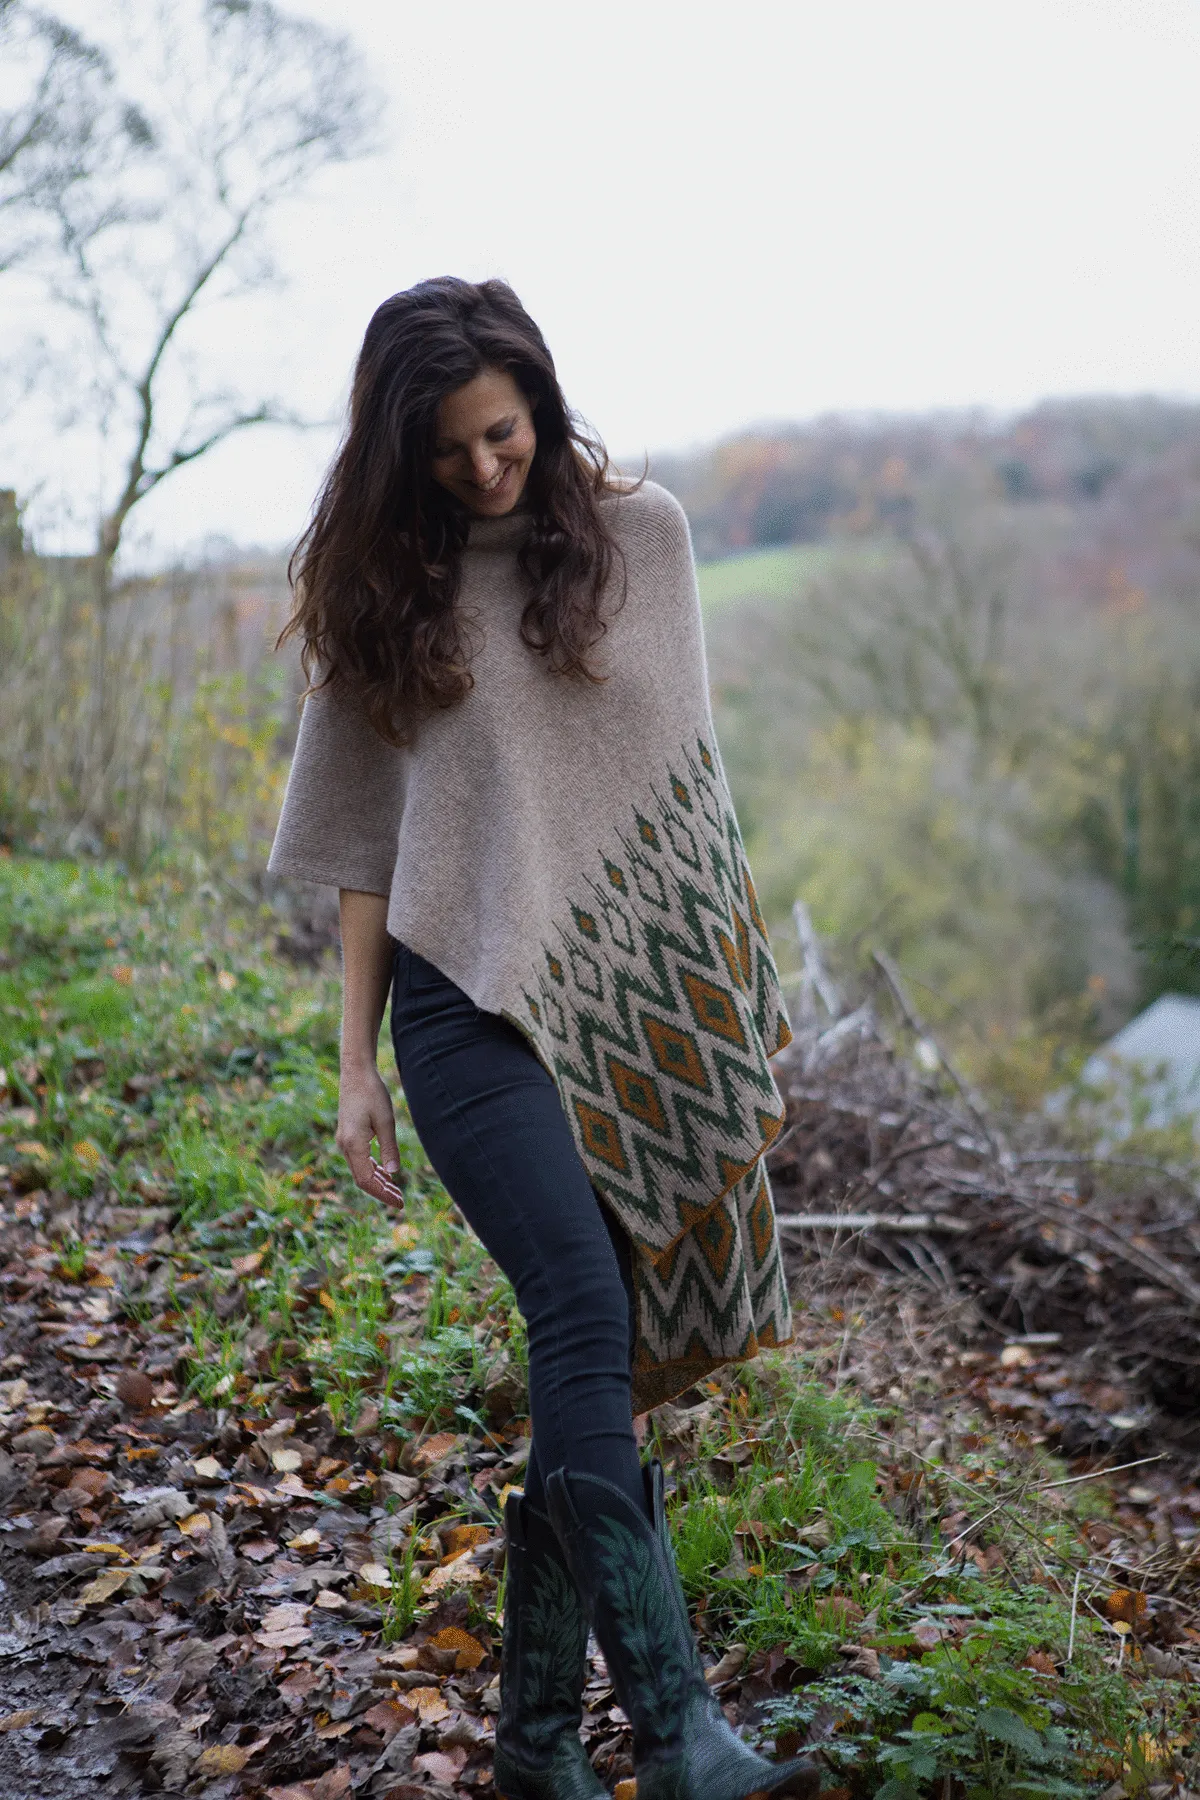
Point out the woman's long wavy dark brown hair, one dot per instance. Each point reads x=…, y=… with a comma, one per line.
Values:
x=377, y=573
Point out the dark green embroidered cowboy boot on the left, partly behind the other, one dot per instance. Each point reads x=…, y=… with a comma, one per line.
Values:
x=542, y=1669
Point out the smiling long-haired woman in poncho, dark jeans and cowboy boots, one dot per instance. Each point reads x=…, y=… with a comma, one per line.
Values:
x=506, y=766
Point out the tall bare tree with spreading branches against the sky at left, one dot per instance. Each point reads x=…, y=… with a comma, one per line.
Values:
x=199, y=121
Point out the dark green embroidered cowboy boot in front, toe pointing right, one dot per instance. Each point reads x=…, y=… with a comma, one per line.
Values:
x=685, y=1747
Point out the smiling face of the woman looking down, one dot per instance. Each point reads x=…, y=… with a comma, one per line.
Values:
x=485, y=444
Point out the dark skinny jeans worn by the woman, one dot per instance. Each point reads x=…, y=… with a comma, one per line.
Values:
x=494, y=1128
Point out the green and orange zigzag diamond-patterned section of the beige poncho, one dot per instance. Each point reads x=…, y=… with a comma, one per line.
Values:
x=658, y=1007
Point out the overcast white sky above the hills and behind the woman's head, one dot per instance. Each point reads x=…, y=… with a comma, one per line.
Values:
x=758, y=211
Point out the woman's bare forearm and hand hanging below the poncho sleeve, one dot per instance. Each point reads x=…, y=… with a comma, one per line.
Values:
x=364, y=1102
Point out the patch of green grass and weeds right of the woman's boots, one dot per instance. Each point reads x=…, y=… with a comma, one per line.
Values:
x=801, y=1534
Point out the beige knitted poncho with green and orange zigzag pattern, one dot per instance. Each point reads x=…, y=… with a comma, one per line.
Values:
x=568, y=854
